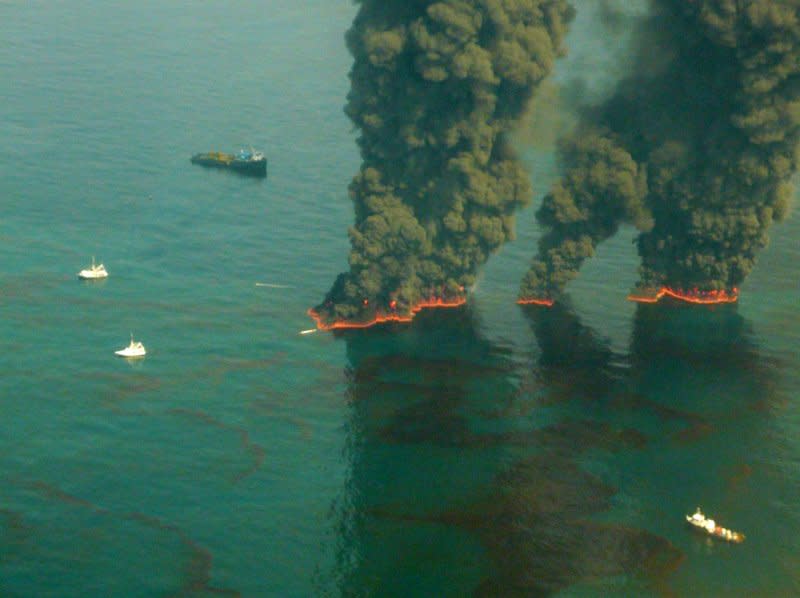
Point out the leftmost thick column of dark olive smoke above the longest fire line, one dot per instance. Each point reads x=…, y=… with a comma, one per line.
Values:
x=436, y=88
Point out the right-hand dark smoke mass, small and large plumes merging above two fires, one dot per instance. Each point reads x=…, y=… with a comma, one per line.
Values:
x=696, y=149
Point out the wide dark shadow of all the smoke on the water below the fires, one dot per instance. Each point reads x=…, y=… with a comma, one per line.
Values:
x=473, y=473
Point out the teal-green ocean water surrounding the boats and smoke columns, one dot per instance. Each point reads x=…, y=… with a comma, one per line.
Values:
x=489, y=450
